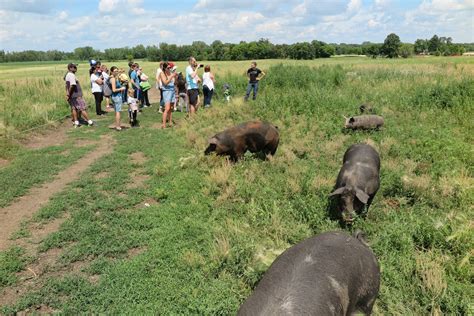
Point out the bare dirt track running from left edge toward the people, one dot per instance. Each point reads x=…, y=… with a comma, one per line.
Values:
x=30, y=203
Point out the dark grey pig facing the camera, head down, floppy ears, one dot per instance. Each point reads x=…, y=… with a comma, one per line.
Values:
x=358, y=181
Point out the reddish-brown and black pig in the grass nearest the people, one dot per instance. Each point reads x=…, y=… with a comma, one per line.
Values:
x=253, y=136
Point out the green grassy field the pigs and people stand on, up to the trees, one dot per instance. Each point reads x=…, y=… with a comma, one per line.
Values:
x=196, y=233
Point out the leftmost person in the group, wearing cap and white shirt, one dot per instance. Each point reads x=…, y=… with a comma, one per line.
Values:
x=74, y=96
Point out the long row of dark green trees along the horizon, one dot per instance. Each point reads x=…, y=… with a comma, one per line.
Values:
x=261, y=49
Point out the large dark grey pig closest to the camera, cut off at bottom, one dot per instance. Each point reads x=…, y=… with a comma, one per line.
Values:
x=328, y=274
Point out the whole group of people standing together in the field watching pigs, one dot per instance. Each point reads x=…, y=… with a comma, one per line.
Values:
x=119, y=87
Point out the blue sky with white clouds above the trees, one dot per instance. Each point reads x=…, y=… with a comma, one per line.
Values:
x=67, y=24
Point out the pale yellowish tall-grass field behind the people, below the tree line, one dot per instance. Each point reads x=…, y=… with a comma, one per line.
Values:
x=32, y=94
